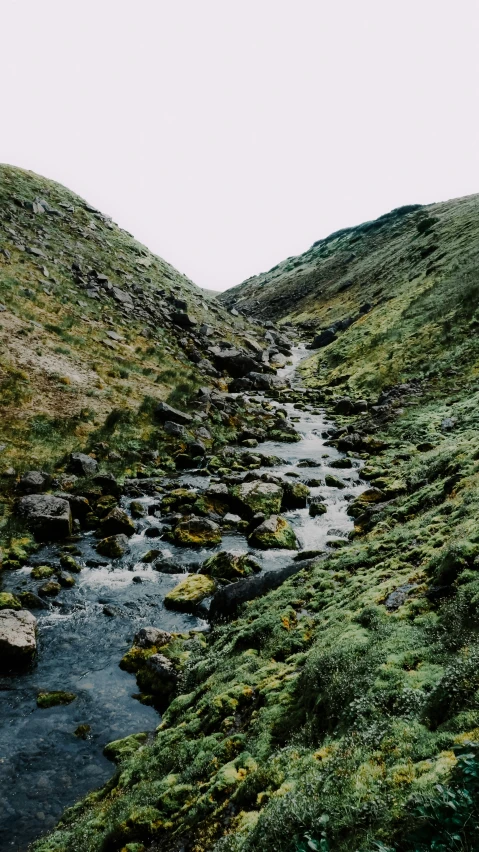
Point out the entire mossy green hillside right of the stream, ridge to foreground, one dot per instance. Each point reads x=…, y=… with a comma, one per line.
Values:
x=341, y=711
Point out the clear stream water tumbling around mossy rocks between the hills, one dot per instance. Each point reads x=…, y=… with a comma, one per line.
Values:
x=44, y=766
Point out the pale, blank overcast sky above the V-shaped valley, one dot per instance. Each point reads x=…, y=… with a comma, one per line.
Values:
x=227, y=135
